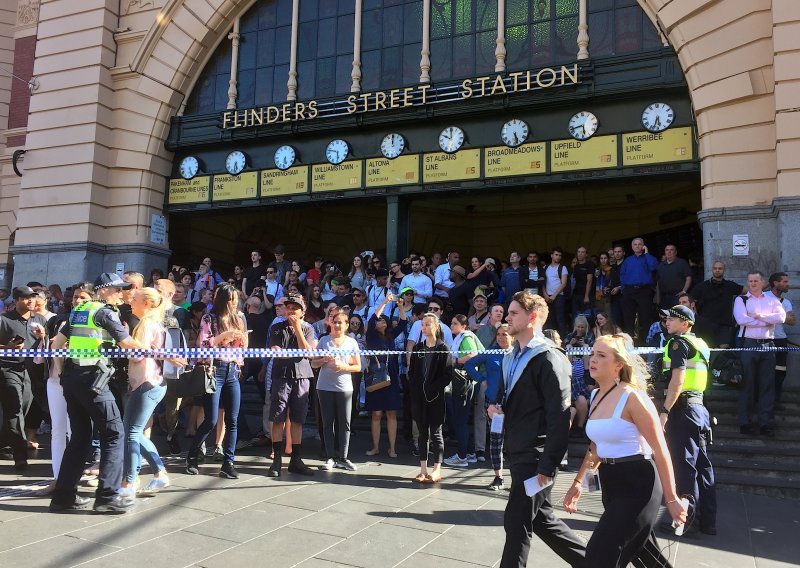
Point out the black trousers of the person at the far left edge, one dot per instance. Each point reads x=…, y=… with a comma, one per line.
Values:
x=16, y=397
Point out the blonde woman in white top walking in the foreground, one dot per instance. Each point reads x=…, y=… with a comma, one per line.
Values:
x=628, y=441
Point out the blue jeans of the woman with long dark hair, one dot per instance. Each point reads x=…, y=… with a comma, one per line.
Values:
x=228, y=395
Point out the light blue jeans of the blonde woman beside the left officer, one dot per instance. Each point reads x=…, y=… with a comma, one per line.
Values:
x=141, y=404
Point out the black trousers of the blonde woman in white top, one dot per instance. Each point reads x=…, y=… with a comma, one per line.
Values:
x=632, y=494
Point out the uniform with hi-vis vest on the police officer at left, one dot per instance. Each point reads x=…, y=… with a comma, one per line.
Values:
x=91, y=325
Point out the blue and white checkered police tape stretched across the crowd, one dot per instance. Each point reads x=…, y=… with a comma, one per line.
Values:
x=262, y=353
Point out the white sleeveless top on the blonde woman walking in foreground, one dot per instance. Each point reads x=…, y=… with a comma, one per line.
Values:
x=616, y=437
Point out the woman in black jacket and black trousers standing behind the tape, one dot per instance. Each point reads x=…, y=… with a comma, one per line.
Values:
x=429, y=373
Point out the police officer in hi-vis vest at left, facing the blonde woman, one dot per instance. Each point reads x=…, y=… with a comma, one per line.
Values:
x=92, y=326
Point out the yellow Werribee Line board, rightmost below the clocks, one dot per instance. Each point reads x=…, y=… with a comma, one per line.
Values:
x=673, y=145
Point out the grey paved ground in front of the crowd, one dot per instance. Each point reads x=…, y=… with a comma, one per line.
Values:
x=374, y=517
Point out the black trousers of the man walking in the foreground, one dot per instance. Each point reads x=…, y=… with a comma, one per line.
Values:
x=527, y=515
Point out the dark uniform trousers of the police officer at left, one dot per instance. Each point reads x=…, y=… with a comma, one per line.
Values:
x=85, y=407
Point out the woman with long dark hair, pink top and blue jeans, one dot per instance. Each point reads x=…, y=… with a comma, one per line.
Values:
x=220, y=328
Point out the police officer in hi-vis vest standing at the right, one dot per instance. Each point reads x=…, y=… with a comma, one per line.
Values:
x=685, y=417
